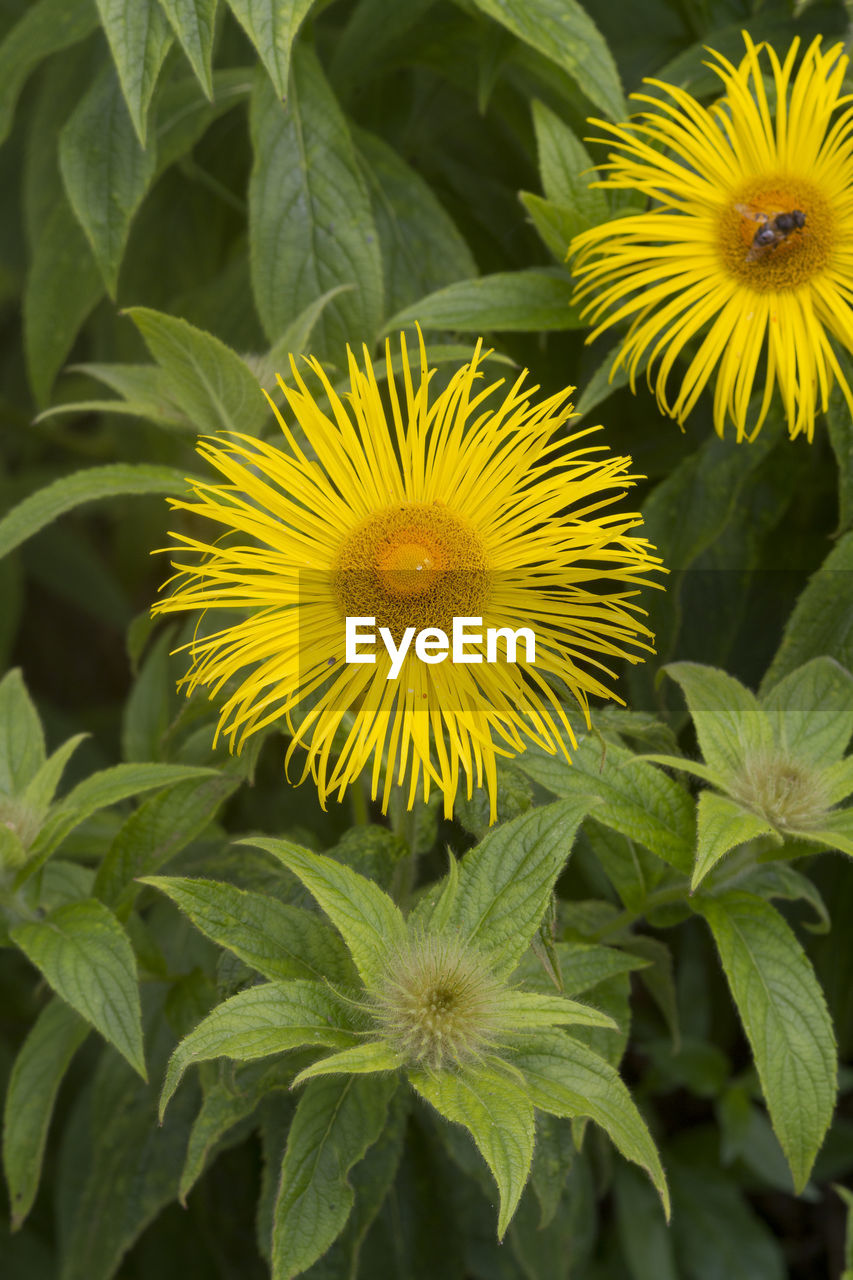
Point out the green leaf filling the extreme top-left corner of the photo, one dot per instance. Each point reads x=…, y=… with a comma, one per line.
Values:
x=44, y=29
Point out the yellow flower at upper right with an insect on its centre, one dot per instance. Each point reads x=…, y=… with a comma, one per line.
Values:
x=747, y=245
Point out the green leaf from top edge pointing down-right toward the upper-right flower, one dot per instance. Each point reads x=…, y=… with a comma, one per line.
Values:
x=564, y=33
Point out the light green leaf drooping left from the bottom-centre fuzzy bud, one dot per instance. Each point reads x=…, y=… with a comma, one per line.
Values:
x=261, y=1021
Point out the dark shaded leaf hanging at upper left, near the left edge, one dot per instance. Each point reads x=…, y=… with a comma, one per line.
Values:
x=63, y=286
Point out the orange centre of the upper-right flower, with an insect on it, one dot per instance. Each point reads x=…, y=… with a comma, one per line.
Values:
x=760, y=241
